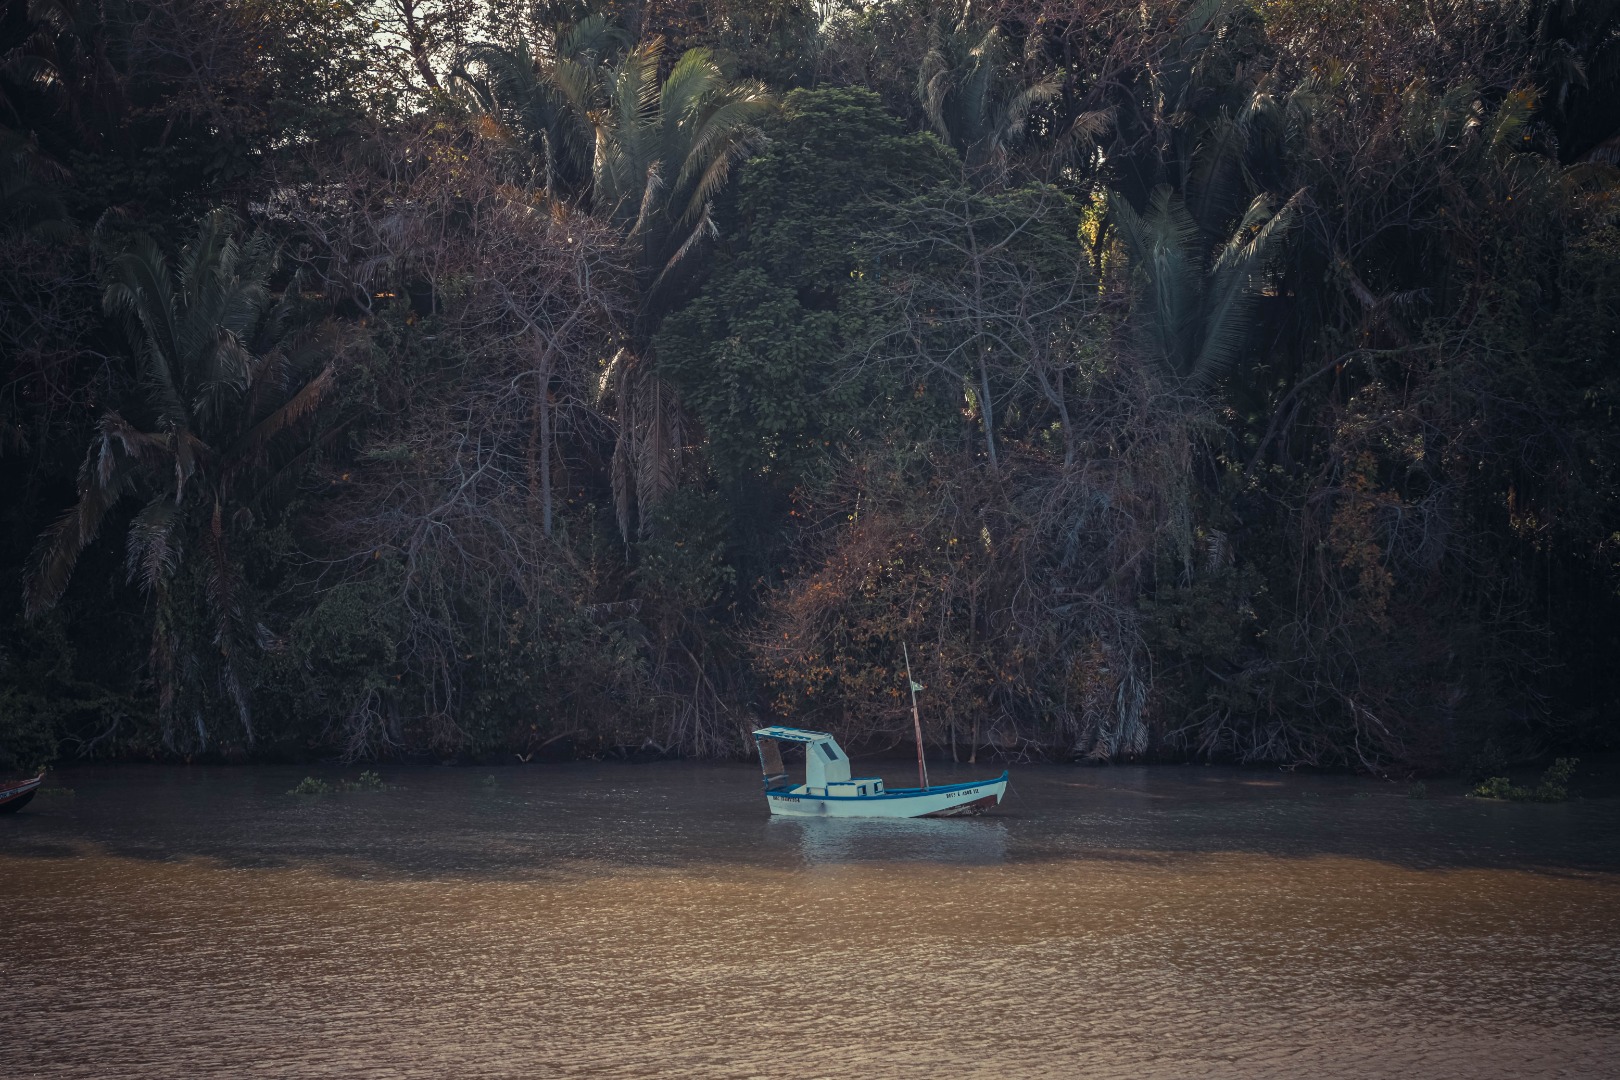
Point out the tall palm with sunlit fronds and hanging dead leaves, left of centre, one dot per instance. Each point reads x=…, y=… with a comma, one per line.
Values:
x=660, y=151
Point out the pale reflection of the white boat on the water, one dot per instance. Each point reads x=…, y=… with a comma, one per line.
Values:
x=884, y=840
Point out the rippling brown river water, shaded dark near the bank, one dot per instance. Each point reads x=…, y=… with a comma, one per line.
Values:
x=613, y=921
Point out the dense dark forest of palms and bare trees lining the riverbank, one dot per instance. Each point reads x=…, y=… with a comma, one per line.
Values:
x=1222, y=380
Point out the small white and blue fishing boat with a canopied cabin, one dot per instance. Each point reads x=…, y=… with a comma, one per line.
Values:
x=830, y=791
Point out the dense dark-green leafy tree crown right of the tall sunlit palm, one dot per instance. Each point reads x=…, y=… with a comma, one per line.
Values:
x=759, y=354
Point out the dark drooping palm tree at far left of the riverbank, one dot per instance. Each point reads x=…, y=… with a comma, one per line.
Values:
x=226, y=386
